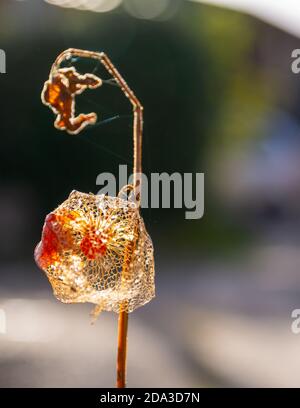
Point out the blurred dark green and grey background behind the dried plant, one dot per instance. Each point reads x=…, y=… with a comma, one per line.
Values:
x=220, y=98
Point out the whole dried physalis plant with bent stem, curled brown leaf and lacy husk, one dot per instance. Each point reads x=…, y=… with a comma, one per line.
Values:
x=96, y=248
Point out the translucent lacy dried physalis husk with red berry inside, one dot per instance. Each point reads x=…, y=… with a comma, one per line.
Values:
x=95, y=248
